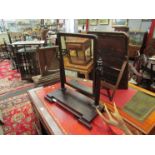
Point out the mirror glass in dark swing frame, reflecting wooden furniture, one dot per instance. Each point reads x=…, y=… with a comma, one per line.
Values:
x=78, y=56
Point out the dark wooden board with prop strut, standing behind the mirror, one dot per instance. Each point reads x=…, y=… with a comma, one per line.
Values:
x=112, y=58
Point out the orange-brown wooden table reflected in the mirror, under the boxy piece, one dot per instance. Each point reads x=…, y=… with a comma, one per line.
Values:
x=83, y=69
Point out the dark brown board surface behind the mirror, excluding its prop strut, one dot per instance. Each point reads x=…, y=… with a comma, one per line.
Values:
x=112, y=47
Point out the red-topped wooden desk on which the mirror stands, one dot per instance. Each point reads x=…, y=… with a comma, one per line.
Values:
x=58, y=121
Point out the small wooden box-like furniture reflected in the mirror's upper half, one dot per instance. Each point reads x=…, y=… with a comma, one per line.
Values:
x=77, y=49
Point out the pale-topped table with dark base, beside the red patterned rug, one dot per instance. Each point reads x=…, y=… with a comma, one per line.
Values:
x=26, y=58
